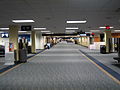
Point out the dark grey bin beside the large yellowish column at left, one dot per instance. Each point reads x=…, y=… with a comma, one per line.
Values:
x=23, y=55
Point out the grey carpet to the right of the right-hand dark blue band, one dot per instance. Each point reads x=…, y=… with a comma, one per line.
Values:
x=106, y=59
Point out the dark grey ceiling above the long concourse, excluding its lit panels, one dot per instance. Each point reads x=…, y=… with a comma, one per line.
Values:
x=53, y=14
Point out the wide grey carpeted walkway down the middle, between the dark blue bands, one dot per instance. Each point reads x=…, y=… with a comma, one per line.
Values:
x=62, y=67
